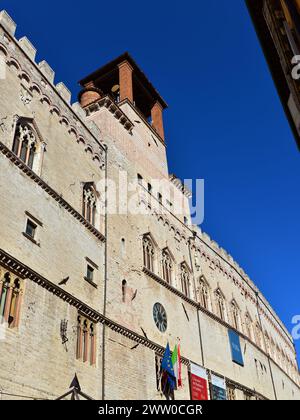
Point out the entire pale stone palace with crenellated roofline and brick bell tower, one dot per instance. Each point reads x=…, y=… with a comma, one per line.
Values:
x=87, y=290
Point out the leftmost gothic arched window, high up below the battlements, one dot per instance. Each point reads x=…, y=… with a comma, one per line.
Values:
x=25, y=143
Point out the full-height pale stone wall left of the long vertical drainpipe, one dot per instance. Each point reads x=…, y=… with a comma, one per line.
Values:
x=34, y=362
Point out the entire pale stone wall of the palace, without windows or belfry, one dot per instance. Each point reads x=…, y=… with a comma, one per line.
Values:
x=34, y=361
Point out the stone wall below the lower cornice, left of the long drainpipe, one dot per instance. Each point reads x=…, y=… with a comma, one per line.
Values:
x=34, y=362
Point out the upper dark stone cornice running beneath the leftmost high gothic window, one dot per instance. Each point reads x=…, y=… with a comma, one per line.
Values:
x=58, y=198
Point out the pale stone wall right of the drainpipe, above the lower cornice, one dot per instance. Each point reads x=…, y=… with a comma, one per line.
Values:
x=218, y=268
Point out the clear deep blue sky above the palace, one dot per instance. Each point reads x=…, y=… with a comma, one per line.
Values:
x=225, y=122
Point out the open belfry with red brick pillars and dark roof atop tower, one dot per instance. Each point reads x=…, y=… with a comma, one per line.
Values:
x=123, y=80
